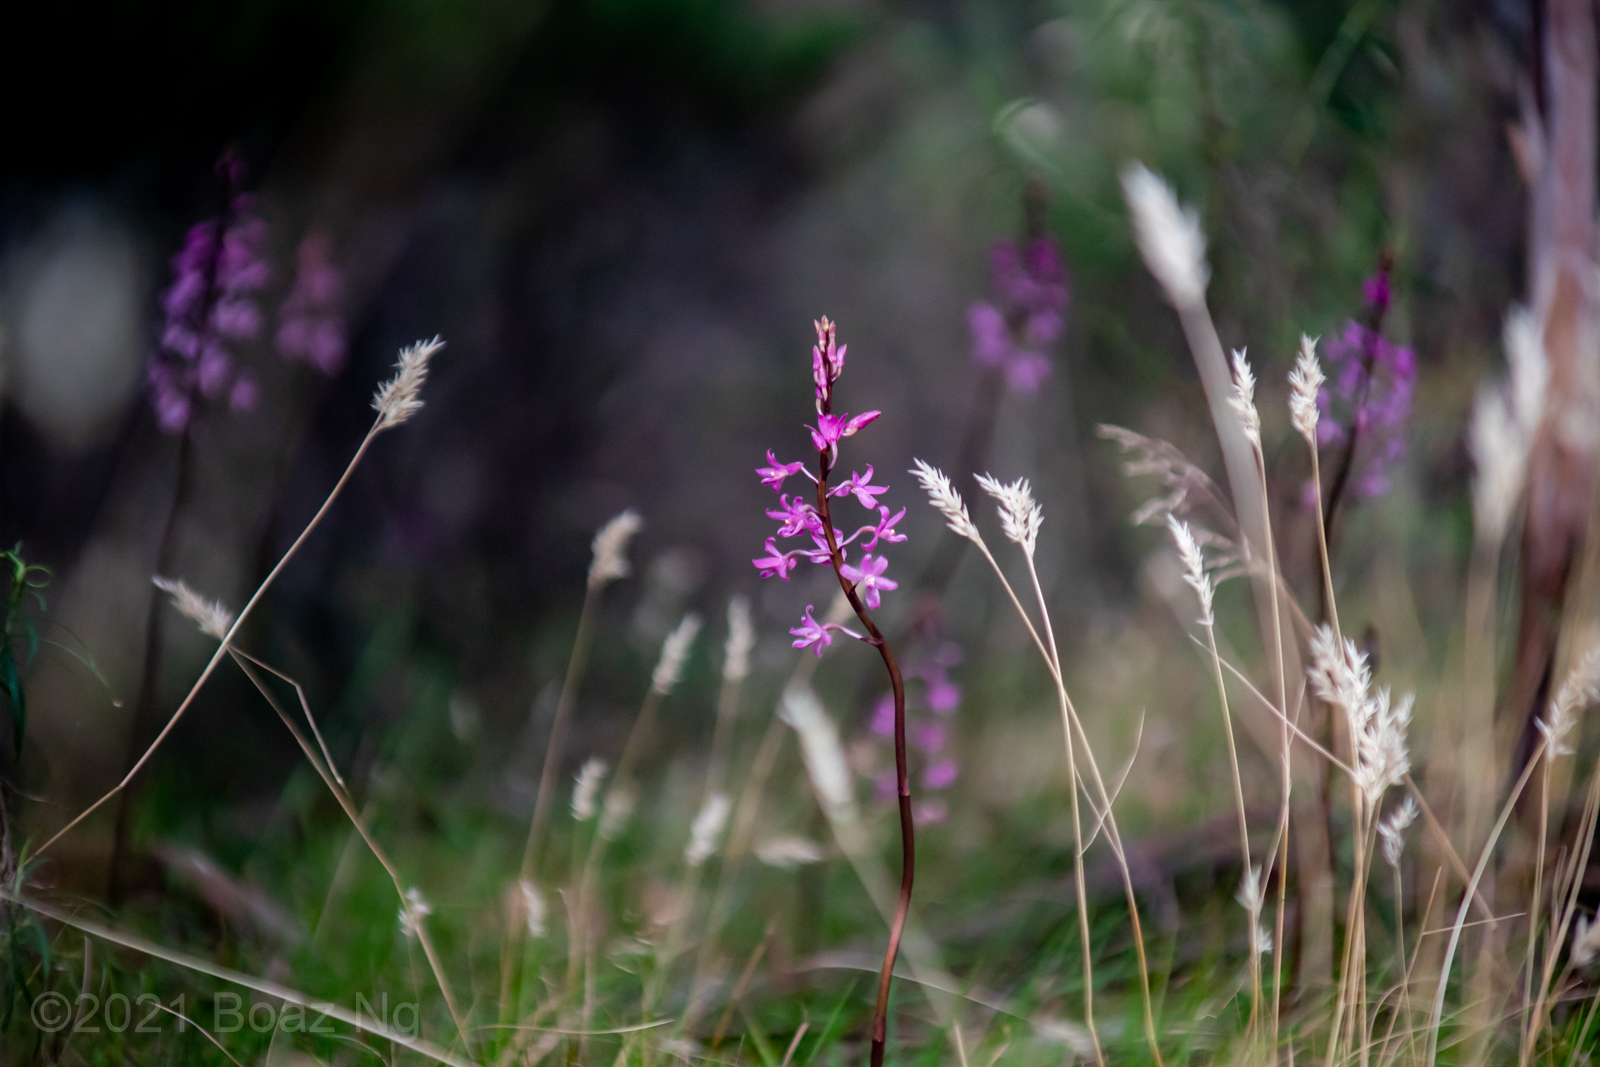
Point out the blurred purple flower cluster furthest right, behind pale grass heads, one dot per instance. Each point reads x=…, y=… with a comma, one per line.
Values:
x=1370, y=388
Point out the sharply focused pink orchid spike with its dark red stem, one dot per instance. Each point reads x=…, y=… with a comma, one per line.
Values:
x=863, y=583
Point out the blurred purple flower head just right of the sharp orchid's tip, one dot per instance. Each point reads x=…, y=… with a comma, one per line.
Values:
x=1026, y=311
